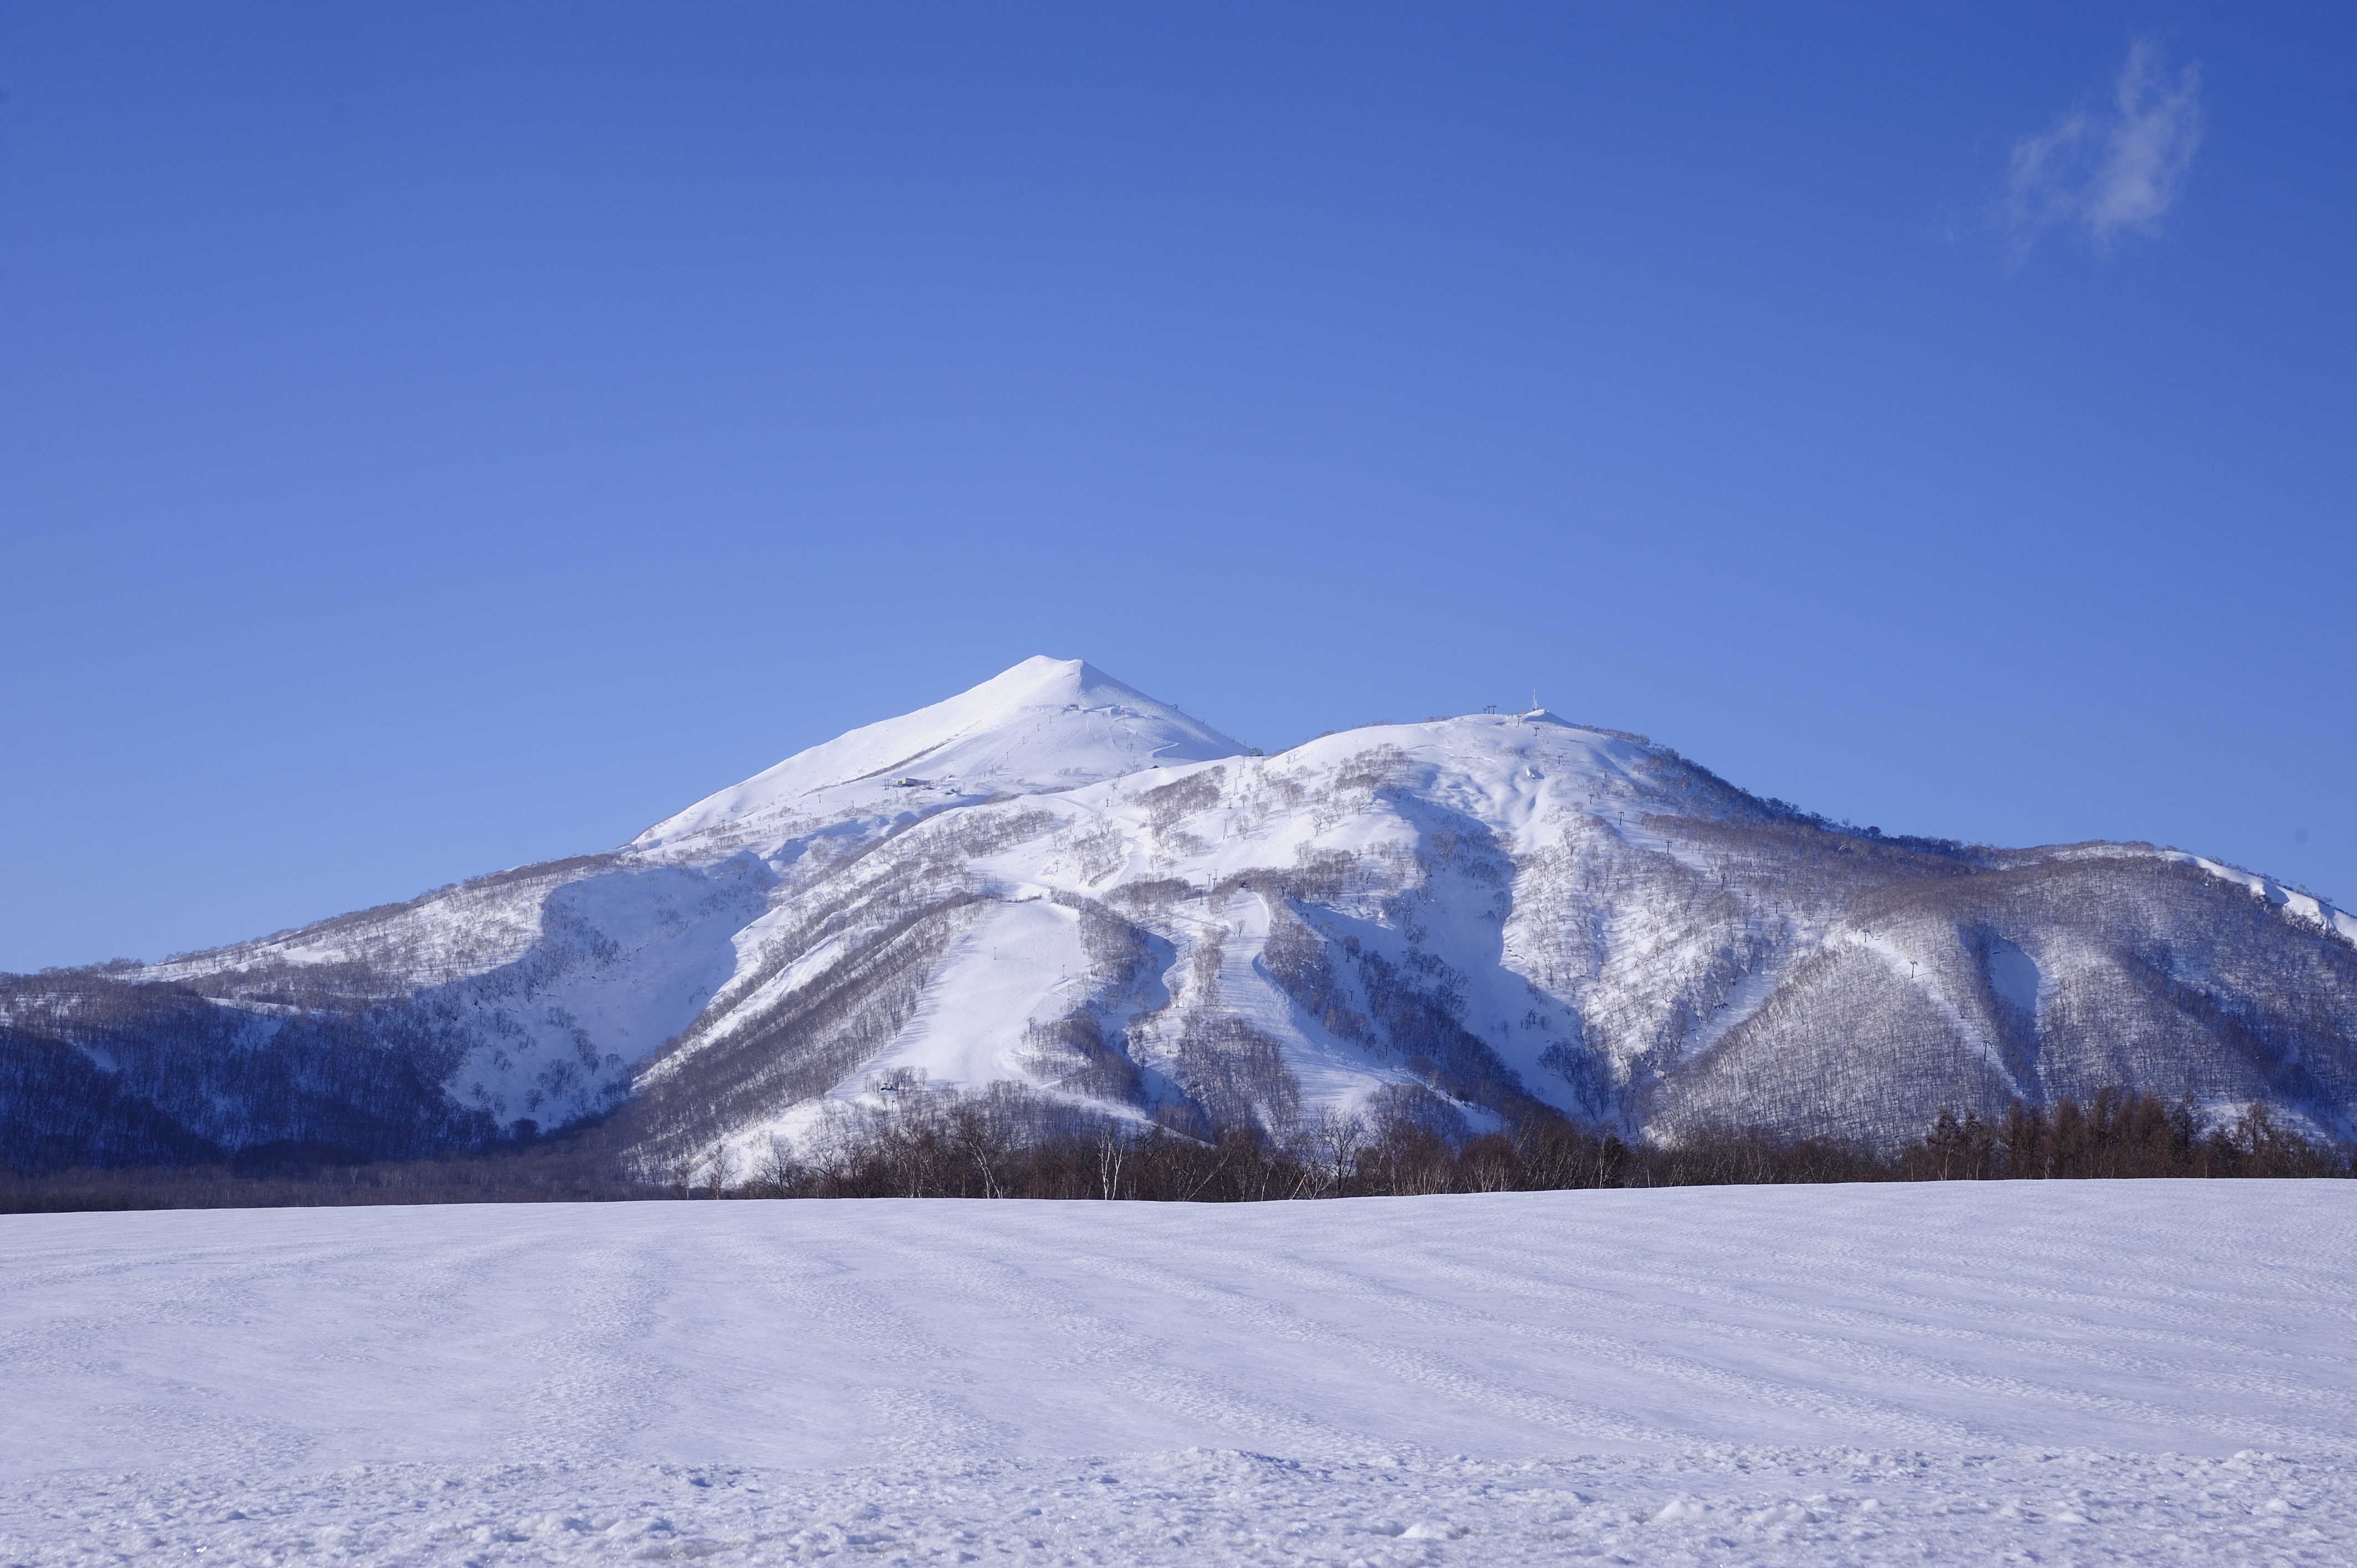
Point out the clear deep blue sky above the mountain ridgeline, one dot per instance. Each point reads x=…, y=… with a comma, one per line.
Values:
x=449, y=437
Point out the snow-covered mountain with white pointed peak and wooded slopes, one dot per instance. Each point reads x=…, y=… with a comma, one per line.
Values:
x=1059, y=883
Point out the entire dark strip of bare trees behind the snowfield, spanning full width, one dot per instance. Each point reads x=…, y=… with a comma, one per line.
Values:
x=1010, y=1142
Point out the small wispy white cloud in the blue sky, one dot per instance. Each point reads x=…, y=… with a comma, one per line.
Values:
x=2111, y=169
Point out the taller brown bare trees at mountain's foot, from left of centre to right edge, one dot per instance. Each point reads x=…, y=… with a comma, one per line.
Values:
x=1012, y=1145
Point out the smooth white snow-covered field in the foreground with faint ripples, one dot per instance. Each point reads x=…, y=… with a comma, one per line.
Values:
x=2040, y=1371
